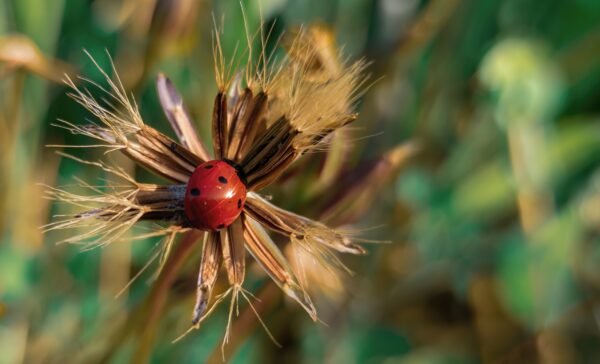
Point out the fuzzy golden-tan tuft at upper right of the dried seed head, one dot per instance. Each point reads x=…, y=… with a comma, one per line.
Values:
x=316, y=99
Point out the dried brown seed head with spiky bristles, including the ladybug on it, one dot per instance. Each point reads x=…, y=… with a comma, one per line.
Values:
x=264, y=118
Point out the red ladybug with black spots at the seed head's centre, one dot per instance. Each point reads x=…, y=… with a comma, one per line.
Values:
x=215, y=196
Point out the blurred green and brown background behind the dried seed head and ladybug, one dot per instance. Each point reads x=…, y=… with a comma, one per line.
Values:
x=476, y=157
